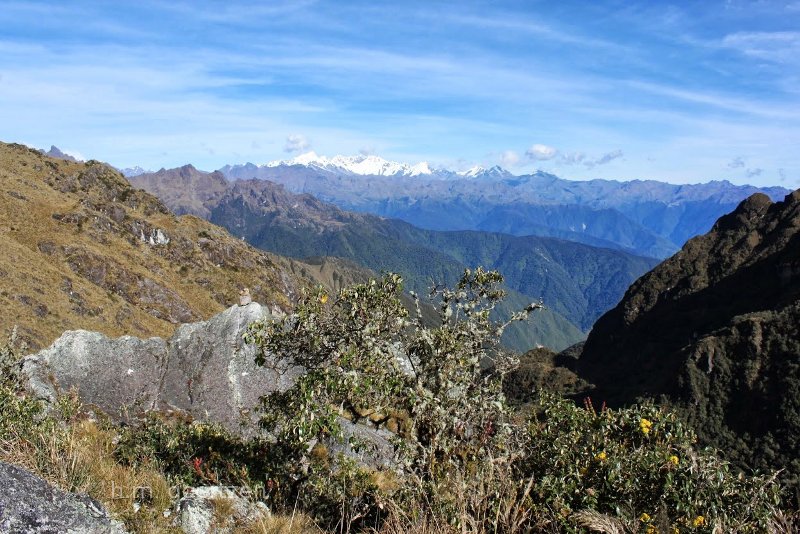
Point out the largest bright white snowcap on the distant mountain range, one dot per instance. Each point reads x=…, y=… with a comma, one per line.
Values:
x=363, y=165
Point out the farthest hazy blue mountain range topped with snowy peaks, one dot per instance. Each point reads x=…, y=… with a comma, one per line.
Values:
x=643, y=217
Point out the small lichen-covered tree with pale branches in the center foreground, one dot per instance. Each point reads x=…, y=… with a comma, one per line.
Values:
x=365, y=358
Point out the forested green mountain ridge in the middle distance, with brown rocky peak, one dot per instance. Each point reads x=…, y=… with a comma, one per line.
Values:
x=576, y=281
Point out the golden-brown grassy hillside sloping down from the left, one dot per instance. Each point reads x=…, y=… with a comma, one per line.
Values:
x=84, y=249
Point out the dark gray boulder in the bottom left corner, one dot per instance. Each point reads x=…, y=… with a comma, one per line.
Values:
x=29, y=504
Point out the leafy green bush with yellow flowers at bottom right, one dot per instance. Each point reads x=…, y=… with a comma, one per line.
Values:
x=639, y=466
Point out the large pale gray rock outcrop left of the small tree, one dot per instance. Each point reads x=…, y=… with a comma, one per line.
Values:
x=204, y=369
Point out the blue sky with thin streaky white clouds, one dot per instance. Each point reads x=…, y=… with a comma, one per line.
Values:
x=682, y=92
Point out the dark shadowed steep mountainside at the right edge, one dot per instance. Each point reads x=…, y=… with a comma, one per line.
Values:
x=715, y=330
